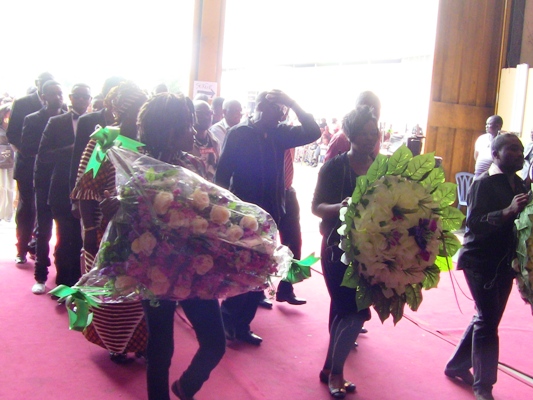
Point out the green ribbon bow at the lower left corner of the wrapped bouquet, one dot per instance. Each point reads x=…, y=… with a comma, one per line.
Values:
x=81, y=317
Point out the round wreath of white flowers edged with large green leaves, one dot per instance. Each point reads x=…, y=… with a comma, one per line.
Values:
x=397, y=232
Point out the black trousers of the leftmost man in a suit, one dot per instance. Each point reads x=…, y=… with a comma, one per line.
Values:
x=25, y=214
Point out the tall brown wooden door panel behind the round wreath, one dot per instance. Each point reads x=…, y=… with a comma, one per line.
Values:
x=468, y=58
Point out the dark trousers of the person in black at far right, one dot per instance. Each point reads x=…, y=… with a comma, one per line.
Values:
x=479, y=346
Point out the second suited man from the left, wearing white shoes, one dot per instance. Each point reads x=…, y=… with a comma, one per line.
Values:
x=32, y=131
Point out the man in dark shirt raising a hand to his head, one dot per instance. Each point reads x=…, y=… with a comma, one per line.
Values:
x=251, y=165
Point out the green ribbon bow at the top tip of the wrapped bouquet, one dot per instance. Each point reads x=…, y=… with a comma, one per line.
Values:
x=105, y=139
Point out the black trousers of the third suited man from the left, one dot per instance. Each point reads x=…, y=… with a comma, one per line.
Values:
x=68, y=247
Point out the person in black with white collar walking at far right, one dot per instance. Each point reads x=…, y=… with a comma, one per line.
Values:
x=494, y=200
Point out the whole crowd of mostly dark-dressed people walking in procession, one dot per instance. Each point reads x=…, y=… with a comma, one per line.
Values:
x=253, y=158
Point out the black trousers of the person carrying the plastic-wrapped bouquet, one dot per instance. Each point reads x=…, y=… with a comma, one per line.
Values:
x=205, y=318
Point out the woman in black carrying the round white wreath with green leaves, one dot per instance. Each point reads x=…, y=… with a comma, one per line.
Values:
x=335, y=185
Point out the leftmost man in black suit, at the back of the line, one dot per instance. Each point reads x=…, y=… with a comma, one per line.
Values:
x=23, y=173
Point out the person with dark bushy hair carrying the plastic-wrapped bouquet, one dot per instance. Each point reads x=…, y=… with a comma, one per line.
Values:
x=166, y=128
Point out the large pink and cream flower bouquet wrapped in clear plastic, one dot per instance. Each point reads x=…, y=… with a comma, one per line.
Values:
x=177, y=236
